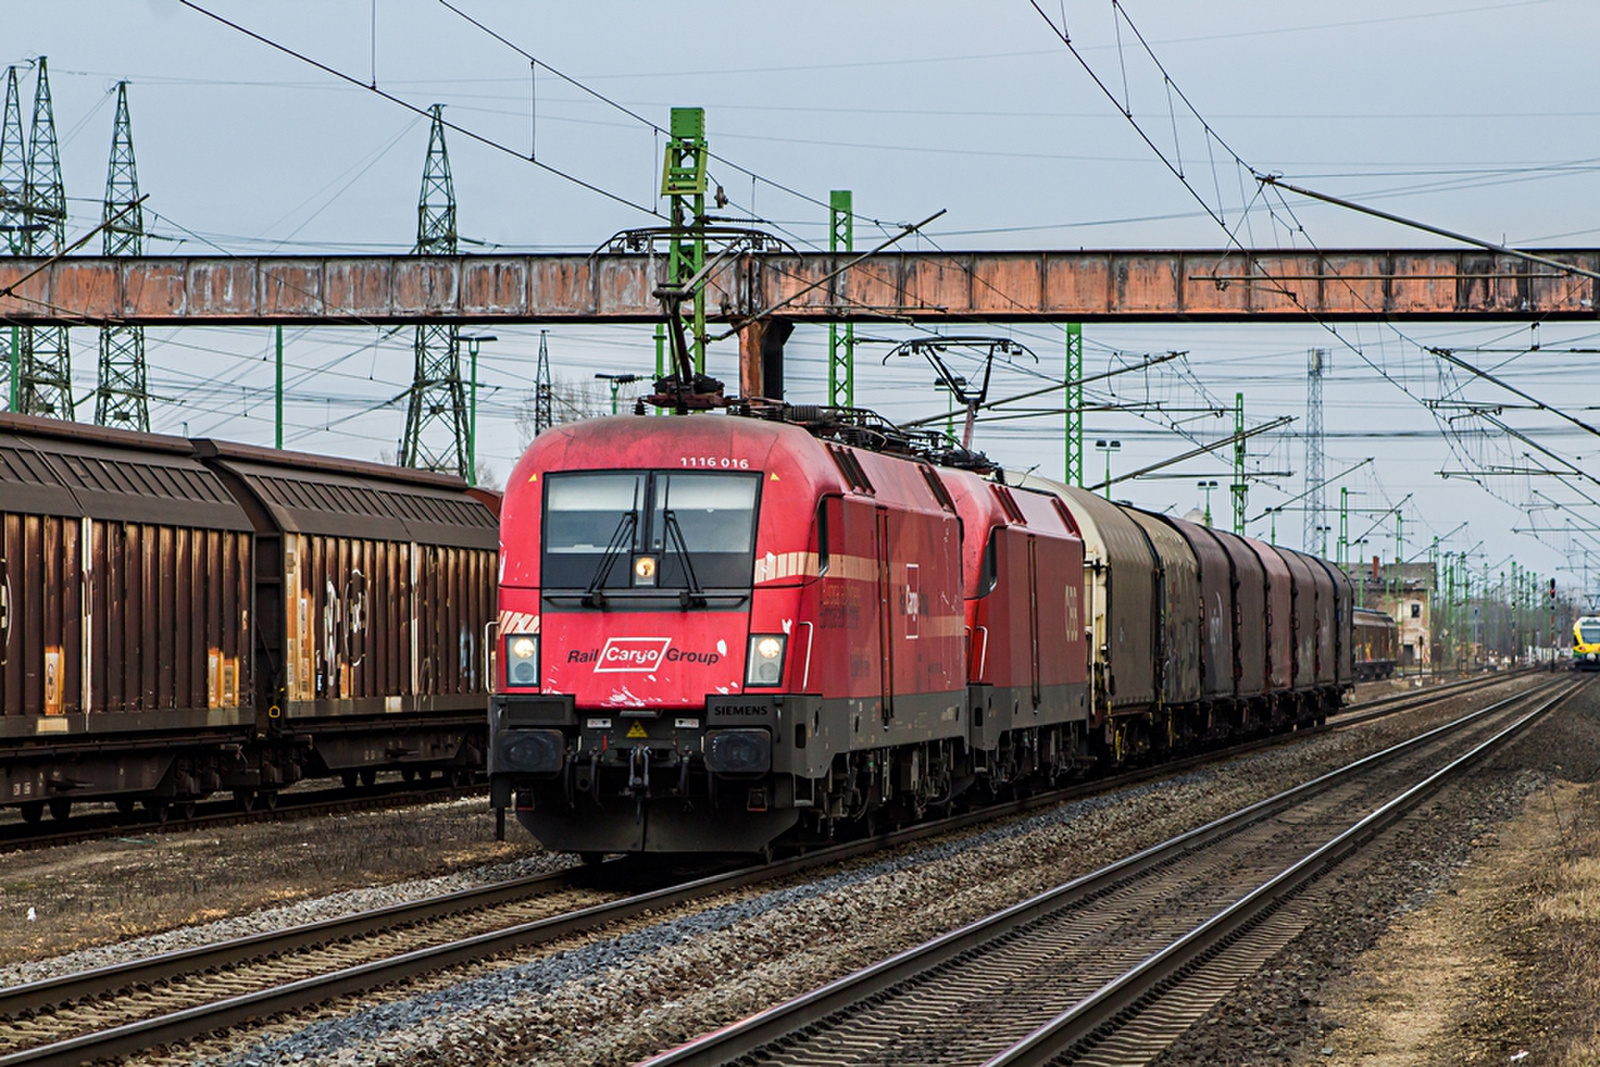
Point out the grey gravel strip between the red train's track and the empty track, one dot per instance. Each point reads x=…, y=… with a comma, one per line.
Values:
x=625, y=994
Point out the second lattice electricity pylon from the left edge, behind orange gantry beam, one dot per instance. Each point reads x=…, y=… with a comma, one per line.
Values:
x=47, y=354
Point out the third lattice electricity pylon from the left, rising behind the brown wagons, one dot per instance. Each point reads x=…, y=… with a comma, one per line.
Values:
x=122, y=398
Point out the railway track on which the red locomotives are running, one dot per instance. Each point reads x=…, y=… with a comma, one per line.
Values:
x=137, y=1005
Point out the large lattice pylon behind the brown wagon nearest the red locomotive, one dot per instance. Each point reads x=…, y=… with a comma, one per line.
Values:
x=436, y=425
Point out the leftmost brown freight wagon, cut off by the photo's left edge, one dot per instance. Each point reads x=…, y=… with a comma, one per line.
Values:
x=126, y=625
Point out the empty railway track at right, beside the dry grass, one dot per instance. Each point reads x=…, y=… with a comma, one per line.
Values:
x=1113, y=967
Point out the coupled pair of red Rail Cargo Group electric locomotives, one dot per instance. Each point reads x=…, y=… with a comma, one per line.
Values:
x=716, y=633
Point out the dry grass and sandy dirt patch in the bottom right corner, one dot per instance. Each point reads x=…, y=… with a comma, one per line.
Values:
x=1508, y=962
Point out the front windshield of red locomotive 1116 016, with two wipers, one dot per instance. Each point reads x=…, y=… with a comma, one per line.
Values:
x=649, y=530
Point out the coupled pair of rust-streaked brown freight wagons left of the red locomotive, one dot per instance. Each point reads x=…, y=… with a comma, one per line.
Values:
x=180, y=618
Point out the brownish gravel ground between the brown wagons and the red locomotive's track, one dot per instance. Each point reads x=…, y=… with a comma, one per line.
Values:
x=98, y=890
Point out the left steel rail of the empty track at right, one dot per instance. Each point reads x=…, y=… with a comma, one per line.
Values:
x=777, y=1023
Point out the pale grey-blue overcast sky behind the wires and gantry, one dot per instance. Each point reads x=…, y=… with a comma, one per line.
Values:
x=1479, y=118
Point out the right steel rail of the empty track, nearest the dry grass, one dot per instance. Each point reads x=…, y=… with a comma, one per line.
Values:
x=1137, y=988
